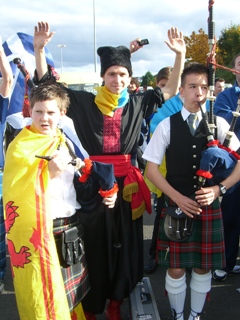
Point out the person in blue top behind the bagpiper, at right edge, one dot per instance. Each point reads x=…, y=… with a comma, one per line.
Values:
x=226, y=103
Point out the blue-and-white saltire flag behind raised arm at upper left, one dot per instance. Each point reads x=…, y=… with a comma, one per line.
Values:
x=20, y=45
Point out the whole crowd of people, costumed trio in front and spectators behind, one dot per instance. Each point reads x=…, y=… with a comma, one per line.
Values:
x=75, y=231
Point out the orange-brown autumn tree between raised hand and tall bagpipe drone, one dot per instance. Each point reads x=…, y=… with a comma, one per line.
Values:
x=197, y=47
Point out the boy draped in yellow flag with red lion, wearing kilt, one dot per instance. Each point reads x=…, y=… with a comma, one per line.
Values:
x=38, y=193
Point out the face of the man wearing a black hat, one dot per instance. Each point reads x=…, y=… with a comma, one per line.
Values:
x=116, y=79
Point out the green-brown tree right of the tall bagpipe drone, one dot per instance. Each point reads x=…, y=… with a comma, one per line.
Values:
x=228, y=46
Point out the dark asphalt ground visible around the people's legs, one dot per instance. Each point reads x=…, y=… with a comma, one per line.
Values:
x=224, y=304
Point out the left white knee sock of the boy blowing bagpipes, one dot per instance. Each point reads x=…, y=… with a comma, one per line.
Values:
x=176, y=289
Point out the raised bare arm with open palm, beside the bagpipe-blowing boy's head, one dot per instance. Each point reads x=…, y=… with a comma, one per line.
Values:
x=175, y=43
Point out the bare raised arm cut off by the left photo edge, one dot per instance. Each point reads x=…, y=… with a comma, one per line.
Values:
x=6, y=71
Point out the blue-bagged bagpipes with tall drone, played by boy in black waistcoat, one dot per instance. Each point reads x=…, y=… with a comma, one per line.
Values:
x=217, y=160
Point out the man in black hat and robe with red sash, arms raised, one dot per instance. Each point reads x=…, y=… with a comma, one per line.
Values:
x=109, y=130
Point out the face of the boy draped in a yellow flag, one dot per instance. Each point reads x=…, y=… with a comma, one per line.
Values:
x=45, y=116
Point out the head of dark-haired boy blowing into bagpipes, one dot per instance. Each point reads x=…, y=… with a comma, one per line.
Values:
x=194, y=90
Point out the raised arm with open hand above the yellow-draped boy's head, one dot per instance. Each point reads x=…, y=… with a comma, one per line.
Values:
x=42, y=36
